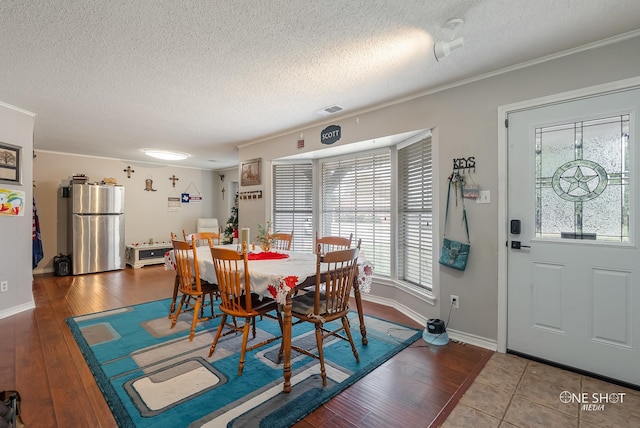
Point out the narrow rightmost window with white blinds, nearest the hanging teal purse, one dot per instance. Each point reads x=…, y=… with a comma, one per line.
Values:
x=415, y=214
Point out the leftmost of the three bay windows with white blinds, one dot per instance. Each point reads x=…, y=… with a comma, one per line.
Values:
x=293, y=203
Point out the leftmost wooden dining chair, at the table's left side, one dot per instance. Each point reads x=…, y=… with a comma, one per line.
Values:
x=190, y=285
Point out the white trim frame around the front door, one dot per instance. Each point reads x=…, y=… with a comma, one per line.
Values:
x=503, y=159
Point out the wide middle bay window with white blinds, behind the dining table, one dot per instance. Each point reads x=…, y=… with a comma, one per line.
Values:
x=356, y=198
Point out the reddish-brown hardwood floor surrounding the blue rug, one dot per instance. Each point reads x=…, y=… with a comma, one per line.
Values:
x=39, y=357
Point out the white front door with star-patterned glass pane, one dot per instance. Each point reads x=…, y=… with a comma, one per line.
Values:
x=573, y=280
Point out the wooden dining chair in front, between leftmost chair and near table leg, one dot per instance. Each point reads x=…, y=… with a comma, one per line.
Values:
x=237, y=300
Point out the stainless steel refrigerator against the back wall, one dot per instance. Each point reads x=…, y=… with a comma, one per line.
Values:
x=96, y=228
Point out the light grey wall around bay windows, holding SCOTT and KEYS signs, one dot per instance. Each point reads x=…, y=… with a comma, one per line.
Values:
x=464, y=119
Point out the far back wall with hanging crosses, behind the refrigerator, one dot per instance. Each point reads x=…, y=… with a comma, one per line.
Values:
x=147, y=214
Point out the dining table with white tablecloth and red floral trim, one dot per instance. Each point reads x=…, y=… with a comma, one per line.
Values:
x=277, y=275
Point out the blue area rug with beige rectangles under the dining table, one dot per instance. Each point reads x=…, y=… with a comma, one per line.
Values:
x=153, y=376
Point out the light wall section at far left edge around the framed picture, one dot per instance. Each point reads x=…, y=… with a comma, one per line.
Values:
x=16, y=128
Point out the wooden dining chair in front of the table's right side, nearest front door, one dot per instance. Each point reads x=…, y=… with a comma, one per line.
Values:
x=328, y=301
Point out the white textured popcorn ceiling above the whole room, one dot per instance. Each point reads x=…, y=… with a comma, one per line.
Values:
x=109, y=78
